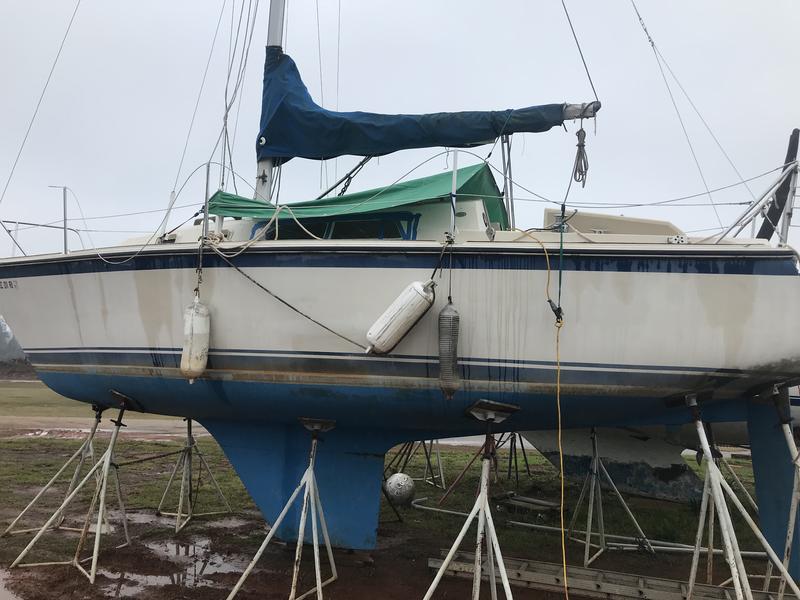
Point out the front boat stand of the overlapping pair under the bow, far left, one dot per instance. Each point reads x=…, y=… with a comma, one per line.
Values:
x=103, y=466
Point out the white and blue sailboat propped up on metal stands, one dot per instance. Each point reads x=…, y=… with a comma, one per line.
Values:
x=647, y=315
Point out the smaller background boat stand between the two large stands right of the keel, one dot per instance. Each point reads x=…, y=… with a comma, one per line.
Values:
x=594, y=483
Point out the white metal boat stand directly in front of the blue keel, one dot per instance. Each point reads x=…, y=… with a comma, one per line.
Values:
x=311, y=500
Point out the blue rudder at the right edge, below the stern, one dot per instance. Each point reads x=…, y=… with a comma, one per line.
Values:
x=774, y=476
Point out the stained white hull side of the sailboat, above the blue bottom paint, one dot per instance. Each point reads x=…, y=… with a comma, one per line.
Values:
x=635, y=325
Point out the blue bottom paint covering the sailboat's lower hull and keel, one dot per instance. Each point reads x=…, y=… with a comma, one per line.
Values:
x=256, y=425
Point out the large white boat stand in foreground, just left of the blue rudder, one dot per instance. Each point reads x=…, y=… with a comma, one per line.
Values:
x=715, y=490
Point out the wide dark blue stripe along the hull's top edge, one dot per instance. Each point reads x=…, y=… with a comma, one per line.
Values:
x=731, y=262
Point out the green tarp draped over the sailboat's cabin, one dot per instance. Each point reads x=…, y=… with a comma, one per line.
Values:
x=471, y=182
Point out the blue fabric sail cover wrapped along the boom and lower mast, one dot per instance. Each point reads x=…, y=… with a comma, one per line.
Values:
x=292, y=125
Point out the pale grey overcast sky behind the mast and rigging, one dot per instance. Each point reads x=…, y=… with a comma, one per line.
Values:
x=113, y=122
